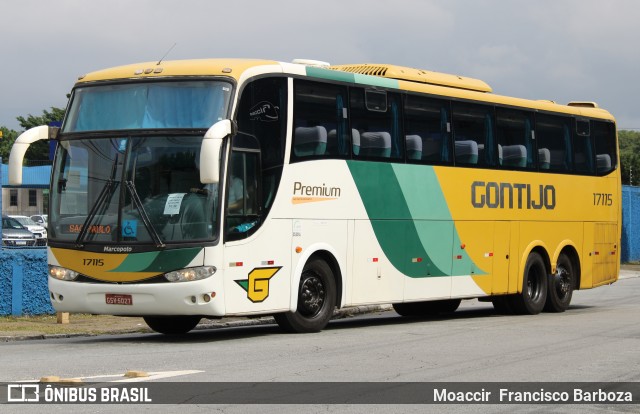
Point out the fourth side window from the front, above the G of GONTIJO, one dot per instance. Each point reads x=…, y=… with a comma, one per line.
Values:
x=474, y=136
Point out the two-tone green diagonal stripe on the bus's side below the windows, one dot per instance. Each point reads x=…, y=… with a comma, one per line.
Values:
x=410, y=220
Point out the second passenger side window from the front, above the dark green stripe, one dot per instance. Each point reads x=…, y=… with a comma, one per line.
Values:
x=375, y=124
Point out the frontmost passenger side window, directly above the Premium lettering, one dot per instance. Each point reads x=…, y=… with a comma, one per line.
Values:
x=320, y=121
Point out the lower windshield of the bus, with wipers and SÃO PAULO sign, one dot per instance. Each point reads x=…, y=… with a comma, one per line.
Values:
x=131, y=189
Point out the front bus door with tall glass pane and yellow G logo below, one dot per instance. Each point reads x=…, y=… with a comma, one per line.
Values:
x=253, y=278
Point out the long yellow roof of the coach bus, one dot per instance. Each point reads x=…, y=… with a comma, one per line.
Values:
x=381, y=75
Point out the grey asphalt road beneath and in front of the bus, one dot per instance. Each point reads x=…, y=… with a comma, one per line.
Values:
x=597, y=339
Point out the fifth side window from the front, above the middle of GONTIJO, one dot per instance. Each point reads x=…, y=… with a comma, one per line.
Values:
x=514, y=130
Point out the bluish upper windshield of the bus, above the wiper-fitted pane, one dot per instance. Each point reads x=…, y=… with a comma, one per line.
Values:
x=192, y=104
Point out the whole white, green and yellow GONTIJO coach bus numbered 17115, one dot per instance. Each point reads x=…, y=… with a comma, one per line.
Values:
x=205, y=188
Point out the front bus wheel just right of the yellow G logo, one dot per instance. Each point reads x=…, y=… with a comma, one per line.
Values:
x=316, y=300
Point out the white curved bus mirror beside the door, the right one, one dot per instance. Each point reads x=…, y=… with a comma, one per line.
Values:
x=210, y=150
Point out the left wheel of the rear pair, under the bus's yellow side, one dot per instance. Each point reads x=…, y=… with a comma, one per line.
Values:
x=534, y=288
